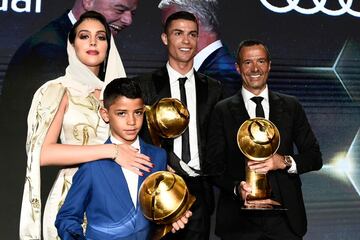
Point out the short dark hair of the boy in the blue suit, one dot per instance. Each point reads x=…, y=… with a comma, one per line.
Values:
x=121, y=87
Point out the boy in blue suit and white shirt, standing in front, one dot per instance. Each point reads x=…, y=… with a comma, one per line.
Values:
x=103, y=189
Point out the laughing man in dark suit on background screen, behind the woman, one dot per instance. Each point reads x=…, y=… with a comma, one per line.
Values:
x=42, y=57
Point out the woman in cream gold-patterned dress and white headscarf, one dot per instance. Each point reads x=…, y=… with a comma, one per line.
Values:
x=67, y=108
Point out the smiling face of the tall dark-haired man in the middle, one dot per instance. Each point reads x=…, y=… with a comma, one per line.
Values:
x=181, y=41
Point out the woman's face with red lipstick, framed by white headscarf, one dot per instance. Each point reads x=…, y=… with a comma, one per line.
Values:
x=91, y=44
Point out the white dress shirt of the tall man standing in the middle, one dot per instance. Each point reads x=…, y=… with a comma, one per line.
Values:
x=190, y=89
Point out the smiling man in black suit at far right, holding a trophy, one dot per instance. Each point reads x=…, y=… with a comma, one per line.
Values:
x=225, y=160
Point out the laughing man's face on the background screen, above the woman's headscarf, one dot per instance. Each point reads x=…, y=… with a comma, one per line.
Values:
x=118, y=13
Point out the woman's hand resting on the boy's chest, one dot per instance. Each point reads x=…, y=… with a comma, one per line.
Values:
x=129, y=157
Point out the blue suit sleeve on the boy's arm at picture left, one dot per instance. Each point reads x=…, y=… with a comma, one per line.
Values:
x=71, y=215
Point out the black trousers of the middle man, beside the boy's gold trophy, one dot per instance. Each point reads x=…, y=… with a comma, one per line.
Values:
x=198, y=227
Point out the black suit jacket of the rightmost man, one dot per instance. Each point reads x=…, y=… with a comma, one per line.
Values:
x=225, y=159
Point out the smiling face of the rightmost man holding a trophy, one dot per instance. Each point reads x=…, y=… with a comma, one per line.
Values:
x=254, y=67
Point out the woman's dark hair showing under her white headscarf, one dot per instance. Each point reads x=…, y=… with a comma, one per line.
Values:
x=90, y=15
